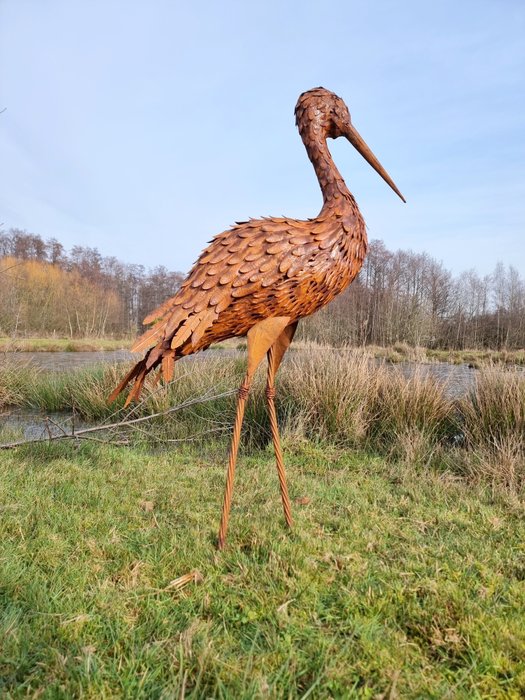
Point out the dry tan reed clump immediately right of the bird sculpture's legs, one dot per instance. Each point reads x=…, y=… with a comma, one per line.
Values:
x=346, y=396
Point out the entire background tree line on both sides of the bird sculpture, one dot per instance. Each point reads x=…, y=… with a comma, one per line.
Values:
x=398, y=297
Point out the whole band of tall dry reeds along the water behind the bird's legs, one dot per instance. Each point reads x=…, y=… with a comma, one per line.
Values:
x=338, y=395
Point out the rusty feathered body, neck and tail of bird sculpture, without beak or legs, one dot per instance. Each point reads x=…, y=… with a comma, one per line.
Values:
x=261, y=268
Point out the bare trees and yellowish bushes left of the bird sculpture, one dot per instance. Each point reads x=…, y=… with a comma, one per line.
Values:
x=45, y=290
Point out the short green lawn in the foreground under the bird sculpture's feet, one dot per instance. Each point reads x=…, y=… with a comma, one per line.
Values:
x=394, y=582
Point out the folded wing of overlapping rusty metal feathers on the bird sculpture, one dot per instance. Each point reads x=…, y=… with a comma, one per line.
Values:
x=241, y=262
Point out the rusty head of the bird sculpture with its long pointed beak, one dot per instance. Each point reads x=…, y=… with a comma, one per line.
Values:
x=325, y=113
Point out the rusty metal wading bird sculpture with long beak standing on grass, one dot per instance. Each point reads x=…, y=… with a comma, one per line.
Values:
x=260, y=277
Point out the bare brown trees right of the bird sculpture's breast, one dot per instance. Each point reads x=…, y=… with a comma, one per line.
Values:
x=410, y=297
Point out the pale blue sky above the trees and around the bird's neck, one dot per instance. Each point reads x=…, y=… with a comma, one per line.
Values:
x=144, y=128
